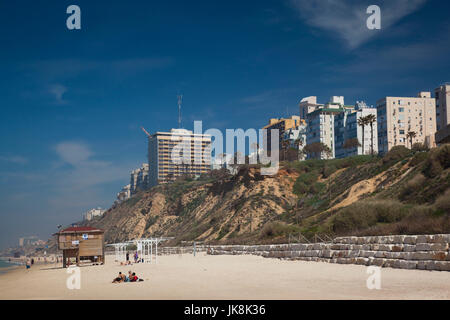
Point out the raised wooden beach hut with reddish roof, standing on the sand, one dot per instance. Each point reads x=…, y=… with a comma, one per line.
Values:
x=81, y=243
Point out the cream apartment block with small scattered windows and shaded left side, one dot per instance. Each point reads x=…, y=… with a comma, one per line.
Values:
x=398, y=116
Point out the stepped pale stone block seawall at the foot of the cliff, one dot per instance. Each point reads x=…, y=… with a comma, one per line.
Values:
x=424, y=252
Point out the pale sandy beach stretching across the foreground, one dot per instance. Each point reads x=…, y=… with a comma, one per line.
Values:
x=224, y=277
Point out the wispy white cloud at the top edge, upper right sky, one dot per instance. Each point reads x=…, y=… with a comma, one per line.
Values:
x=348, y=18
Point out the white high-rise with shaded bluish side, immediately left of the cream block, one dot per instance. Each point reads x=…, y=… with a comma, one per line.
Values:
x=348, y=133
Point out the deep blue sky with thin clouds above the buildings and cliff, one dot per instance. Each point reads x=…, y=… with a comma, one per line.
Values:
x=72, y=102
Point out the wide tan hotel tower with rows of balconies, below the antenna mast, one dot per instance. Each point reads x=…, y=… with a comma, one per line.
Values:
x=177, y=153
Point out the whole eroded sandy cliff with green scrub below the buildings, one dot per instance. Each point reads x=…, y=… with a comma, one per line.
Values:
x=399, y=193
